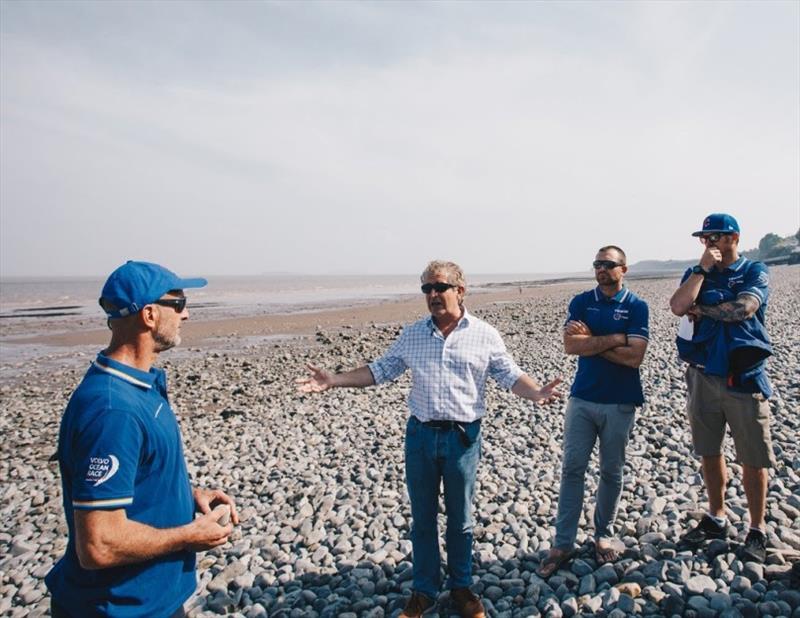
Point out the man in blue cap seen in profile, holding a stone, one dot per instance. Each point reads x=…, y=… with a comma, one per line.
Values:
x=127, y=498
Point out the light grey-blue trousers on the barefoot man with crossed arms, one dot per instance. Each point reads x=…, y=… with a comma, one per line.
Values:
x=584, y=422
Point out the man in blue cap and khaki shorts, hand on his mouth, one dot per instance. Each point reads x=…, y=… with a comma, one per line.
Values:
x=723, y=338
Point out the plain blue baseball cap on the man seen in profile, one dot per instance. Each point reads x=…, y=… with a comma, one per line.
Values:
x=136, y=284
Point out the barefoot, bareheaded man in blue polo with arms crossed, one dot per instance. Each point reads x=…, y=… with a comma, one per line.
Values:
x=607, y=328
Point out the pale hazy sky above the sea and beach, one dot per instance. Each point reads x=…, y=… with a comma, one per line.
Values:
x=369, y=137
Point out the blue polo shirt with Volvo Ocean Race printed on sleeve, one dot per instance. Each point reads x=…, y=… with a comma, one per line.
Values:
x=119, y=447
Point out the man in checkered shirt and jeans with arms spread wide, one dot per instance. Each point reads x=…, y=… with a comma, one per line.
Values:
x=450, y=355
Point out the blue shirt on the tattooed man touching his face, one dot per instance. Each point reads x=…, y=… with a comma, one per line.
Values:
x=734, y=350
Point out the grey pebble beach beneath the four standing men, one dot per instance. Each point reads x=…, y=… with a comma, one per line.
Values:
x=320, y=487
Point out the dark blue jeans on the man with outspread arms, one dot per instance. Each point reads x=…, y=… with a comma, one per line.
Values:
x=435, y=457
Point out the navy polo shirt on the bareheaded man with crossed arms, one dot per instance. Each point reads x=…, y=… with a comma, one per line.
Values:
x=599, y=380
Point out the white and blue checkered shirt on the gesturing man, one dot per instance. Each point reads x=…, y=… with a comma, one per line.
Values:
x=448, y=375
